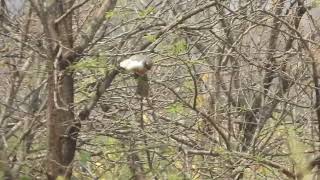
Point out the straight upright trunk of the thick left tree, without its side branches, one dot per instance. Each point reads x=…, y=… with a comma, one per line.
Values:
x=61, y=141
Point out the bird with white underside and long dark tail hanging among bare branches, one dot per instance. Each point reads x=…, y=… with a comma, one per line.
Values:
x=139, y=65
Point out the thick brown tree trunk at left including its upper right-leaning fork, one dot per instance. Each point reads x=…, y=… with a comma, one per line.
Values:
x=63, y=127
